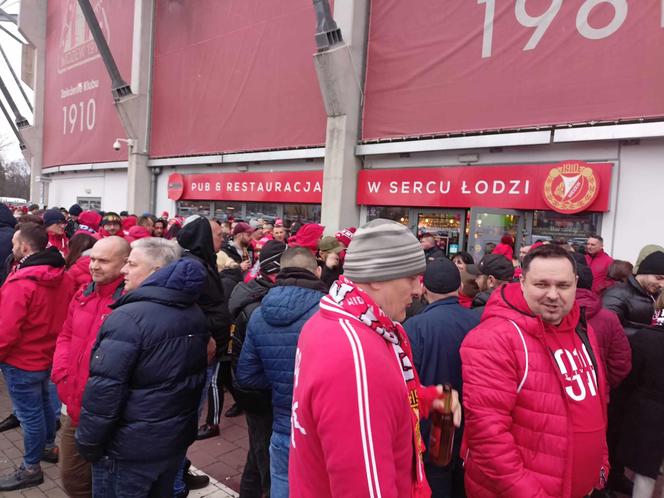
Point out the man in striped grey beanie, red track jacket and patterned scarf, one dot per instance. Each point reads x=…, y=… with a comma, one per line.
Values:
x=357, y=398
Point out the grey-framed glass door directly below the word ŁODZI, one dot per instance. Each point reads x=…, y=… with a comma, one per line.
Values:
x=488, y=226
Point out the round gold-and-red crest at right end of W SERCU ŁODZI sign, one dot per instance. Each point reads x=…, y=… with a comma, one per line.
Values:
x=571, y=187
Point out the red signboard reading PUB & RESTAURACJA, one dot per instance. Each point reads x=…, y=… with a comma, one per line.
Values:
x=284, y=186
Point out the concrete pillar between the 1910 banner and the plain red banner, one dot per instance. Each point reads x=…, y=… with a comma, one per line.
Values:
x=134, y=110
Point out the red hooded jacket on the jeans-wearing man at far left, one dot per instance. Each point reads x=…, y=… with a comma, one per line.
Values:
x=34, y=302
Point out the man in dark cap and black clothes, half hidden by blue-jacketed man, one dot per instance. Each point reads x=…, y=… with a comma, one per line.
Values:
x=257, y=404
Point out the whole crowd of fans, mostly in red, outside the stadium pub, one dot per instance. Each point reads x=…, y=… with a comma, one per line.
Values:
x=120, y=330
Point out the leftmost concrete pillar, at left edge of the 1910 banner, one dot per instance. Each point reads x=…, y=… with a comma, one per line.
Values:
x=32, y=25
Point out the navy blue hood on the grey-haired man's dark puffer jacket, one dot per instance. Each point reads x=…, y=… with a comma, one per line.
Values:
x=177, y=285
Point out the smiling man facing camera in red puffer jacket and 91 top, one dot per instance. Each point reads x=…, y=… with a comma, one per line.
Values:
x=534, y=389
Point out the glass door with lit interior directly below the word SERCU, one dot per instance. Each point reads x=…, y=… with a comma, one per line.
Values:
x=447, y=226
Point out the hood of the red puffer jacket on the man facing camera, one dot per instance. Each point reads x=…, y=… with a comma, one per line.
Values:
x=507, y=302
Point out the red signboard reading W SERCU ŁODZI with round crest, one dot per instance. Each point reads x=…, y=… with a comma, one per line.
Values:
x=509, y=187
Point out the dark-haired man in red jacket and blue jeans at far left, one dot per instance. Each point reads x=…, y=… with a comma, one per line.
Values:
x=33, y=301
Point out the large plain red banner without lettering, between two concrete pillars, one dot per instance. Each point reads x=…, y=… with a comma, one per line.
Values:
x=234, y=75
